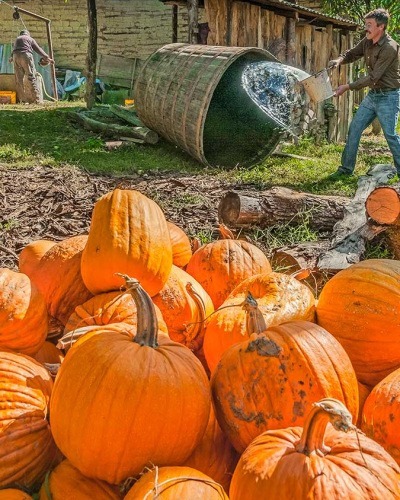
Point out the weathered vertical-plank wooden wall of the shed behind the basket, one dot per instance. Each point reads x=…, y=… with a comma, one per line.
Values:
x=294, y=43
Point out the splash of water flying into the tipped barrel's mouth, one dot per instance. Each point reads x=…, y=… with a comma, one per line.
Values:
x=274, y=88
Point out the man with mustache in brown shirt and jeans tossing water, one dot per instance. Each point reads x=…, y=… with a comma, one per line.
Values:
x=382, y=57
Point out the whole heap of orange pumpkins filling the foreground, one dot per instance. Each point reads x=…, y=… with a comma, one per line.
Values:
x=132, y=367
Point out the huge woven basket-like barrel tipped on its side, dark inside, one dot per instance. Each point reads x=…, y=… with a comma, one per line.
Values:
x=193, y=96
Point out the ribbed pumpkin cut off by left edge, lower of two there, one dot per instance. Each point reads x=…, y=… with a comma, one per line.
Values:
x=26, y=444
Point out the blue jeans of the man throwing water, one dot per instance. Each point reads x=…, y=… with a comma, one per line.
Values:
x=385, y=105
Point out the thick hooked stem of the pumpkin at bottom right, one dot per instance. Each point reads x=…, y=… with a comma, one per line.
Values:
x=324, y=411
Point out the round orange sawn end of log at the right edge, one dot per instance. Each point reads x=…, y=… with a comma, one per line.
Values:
x=383, y=205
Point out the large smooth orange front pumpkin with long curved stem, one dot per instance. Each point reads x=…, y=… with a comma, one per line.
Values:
x=119, y=403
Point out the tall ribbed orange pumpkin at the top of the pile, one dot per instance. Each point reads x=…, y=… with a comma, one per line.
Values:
x=128, y=234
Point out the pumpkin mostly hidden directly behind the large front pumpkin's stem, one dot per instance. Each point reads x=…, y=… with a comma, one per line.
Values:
x=106, y=308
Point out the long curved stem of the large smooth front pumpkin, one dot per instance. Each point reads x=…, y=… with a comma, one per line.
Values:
x=147, y=325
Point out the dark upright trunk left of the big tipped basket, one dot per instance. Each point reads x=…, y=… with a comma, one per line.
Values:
x=91, y=58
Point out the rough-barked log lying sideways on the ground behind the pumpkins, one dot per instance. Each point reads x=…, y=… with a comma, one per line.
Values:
x=279, y=206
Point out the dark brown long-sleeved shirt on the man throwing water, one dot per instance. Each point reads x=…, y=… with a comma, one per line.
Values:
x=382, y=60
